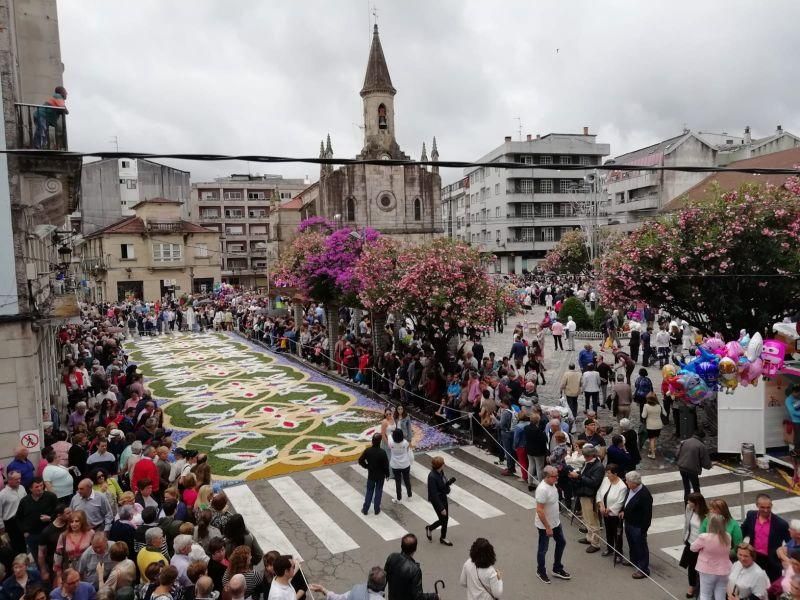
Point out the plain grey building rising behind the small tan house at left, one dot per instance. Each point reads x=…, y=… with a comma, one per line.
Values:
x=110, y=188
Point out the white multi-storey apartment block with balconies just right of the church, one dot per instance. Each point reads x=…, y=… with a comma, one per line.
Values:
x=520, y=214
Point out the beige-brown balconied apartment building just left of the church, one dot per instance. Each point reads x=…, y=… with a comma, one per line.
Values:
x=238, y=208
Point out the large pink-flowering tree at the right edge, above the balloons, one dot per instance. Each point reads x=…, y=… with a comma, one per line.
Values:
x=728, y=262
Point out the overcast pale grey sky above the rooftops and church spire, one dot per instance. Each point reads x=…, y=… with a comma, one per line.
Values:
x=269, y=77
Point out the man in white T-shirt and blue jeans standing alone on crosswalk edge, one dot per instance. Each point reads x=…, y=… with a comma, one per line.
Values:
x=548, y=523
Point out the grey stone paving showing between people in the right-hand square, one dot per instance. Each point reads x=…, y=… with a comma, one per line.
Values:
x=557, y=362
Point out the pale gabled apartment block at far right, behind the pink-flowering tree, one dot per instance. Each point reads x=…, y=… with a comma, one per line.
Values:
x=634, y=196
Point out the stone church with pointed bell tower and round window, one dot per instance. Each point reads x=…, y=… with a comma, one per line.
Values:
x=400, y=201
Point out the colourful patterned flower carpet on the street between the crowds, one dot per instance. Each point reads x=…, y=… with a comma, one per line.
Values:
x=257, y=414
